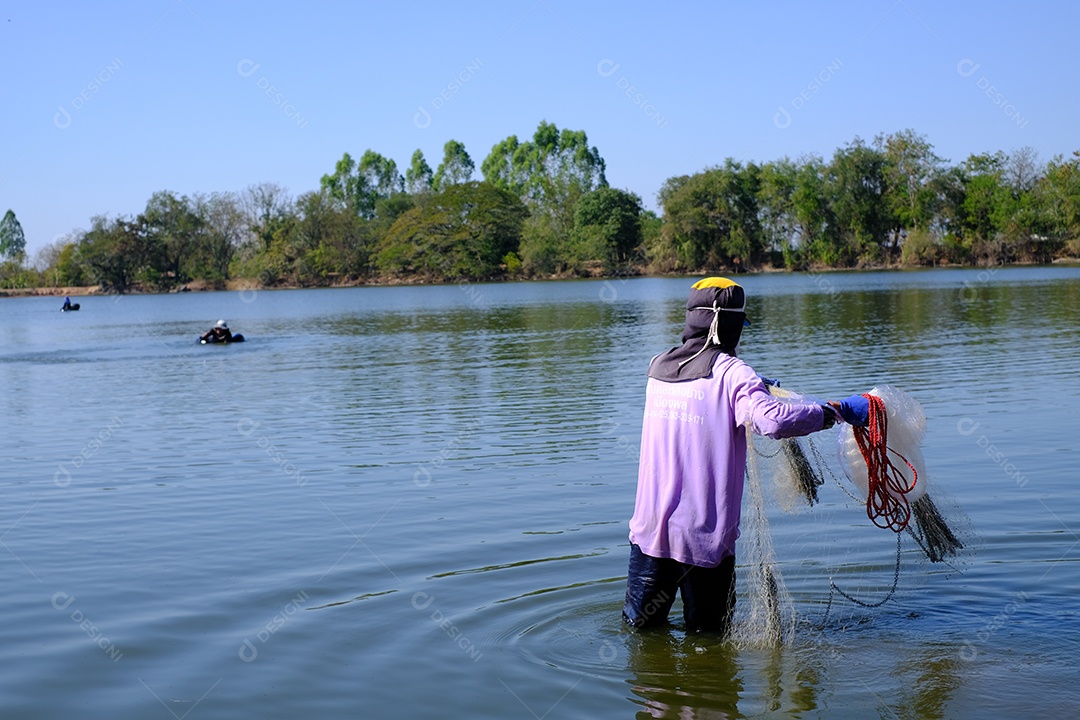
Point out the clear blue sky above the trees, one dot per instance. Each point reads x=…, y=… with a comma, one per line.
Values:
x=111, y=102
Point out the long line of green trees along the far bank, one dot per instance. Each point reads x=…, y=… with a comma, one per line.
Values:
x=545, y=209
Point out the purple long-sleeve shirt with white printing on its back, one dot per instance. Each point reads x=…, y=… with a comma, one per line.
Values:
x=694, y=459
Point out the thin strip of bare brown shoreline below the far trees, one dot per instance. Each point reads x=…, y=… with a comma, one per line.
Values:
x=250, y=284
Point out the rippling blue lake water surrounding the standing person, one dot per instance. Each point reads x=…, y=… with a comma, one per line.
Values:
x=413, y=502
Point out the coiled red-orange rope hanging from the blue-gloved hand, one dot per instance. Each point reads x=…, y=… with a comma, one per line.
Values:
x=887, y=488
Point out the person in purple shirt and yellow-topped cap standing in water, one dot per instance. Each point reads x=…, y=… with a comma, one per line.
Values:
x=694, y=458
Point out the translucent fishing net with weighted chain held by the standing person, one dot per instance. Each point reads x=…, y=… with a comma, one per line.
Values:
x=883, y=471
